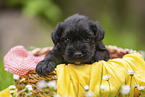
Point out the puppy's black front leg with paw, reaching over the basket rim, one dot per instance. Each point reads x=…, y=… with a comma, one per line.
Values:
x=48, y=64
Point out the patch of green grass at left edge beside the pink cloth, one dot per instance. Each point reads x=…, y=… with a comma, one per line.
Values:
x=6, y=78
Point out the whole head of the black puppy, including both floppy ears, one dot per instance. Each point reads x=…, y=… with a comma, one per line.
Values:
x=77, y=38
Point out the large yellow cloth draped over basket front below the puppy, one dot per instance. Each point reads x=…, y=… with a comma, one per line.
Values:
x=73, y=78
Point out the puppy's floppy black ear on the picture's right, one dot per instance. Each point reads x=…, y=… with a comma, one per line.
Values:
x=98, y=31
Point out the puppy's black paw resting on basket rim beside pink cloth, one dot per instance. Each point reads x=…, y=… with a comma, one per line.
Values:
x=45, y=67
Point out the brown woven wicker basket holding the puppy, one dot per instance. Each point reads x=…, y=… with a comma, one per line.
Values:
x=32, y=77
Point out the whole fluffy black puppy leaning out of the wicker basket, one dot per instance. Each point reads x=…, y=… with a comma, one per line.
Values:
x=77, y=40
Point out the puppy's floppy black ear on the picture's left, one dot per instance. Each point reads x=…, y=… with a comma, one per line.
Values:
x=56, y=33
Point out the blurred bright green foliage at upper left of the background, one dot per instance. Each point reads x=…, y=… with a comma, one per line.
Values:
x=46, y=9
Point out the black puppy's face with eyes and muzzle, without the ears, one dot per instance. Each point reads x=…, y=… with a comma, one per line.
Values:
x=78, y=44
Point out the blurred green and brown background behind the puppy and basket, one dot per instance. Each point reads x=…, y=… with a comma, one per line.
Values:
x=30, y=23
